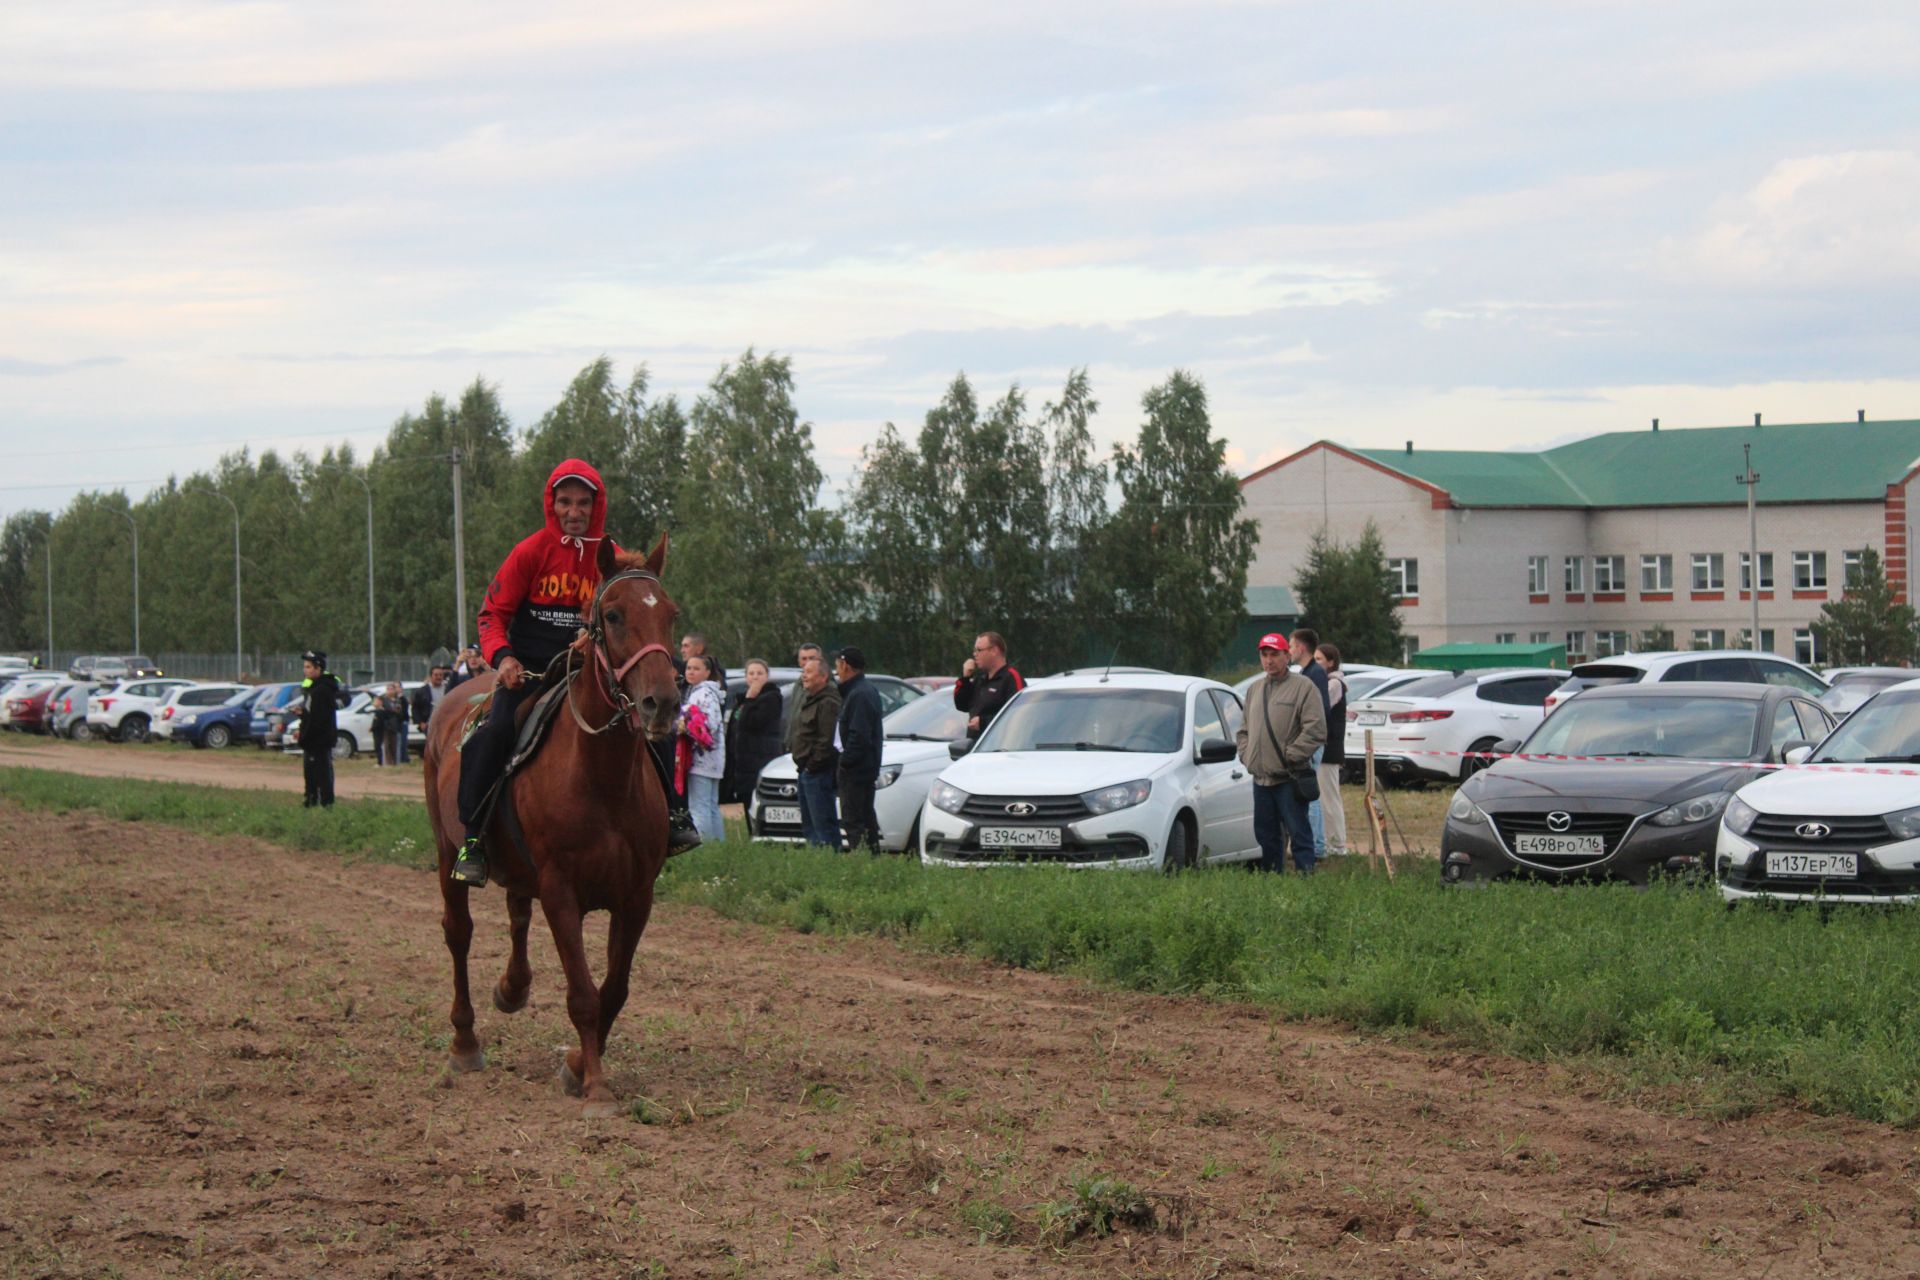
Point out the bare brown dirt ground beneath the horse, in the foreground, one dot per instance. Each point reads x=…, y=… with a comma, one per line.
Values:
x=228, y=1060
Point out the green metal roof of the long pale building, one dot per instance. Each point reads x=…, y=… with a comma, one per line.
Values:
x=1694, y=467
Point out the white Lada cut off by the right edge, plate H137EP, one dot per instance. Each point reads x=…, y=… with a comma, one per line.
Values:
x=1835, y=836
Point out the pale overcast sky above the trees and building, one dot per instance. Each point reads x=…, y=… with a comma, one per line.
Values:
x=1472, y=225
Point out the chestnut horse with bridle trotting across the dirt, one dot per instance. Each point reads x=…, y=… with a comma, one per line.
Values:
x=592, y=809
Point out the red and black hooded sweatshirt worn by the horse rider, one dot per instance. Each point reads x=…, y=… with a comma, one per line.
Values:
x=535, y=604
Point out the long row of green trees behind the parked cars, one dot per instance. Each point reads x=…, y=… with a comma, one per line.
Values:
x=988, y=515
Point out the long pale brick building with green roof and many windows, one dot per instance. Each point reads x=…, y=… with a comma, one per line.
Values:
x=1600, y=542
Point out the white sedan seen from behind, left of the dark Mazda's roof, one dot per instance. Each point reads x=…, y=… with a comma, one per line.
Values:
x=1422, y=726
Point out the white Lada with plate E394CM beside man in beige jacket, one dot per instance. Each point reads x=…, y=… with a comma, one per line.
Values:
x=1099, y=772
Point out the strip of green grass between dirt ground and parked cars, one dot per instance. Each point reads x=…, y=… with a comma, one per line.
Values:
x=1660, y=989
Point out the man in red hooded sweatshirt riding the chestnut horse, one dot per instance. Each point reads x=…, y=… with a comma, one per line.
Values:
x=529, y=619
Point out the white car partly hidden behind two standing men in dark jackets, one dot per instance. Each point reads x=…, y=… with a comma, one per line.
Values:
x=911, y=763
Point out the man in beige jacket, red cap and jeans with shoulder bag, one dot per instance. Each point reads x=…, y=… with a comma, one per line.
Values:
x=1285, y=724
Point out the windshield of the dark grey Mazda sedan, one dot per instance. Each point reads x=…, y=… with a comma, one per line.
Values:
x=1702, y=728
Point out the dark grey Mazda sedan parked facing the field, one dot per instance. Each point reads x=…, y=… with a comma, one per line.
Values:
x=1650, y=807
